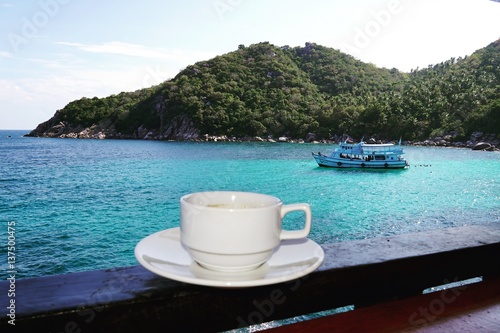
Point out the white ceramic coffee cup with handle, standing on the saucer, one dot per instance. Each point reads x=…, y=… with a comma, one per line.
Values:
x=235, y=231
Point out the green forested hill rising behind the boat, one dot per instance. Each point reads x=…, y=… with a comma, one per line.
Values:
x=265, y=90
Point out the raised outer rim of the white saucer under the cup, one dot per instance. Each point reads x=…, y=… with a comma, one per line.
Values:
x=138, y=252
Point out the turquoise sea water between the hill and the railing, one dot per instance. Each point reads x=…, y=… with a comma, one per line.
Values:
x=82, y=205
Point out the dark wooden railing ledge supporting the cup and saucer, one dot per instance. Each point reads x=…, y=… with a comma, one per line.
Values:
x=382, y=279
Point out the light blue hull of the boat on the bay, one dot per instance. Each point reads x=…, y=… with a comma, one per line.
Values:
x=330, y=162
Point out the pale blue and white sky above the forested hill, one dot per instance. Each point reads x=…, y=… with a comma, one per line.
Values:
x=55, y=51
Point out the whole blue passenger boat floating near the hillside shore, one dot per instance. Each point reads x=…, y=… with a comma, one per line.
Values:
x=363, y=155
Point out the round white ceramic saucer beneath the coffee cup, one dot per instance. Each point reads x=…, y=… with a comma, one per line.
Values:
x=163, y=254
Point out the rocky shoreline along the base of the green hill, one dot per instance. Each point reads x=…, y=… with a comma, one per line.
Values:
x=187, y=132
